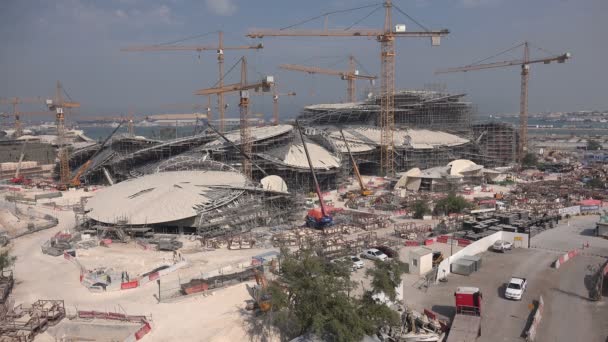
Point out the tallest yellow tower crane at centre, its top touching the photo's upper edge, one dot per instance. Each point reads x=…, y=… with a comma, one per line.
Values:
x=386, y=36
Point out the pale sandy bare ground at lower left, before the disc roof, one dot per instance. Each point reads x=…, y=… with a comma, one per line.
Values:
x=219, y=317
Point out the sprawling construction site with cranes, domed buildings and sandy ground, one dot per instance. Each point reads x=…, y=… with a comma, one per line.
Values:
x=132, y=237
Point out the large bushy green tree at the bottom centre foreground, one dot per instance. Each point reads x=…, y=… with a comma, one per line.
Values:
x=311, y=296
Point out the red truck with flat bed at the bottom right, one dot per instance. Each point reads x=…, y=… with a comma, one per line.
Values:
x=466, y=325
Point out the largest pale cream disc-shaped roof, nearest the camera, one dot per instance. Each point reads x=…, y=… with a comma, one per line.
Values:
x=164, y=197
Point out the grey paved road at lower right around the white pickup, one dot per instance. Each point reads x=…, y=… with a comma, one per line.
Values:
x=568, y=315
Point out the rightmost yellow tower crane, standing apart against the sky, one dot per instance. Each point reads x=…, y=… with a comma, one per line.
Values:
x=525, y=75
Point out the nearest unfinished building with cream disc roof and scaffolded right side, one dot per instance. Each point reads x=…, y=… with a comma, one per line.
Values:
x=189, y=195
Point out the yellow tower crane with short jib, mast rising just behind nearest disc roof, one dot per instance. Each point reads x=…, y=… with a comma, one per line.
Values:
x=243, y=88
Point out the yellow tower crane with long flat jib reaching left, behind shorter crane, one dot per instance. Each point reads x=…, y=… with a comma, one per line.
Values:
x=220, y=48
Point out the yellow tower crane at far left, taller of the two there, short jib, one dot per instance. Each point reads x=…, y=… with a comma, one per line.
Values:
x=58, y=105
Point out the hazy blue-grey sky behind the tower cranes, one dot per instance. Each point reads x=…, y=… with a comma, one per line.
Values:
x=78, y=42
